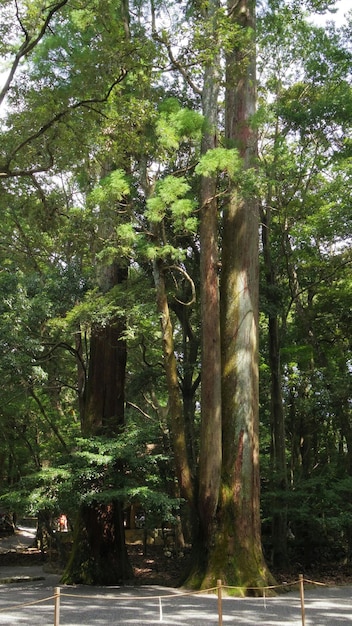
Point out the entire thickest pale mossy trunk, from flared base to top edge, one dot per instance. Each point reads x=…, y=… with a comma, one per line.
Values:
x=236, y=556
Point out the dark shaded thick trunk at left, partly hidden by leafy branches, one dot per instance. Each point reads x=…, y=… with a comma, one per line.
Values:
x=99, y=554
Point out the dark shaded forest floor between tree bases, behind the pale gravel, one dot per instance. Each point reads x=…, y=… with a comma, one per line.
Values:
x=156, y=568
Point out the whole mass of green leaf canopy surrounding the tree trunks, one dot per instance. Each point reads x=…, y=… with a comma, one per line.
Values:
x=106, y=130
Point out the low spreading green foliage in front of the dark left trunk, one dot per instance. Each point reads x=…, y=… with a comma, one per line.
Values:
x=102, y=469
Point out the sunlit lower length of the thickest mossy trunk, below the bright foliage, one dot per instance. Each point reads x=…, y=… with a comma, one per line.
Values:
x=239, y=517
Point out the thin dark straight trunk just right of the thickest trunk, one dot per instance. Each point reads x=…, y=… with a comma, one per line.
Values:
x=278, y=436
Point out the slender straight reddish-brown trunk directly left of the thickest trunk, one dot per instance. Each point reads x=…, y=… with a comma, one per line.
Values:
x=210, y=442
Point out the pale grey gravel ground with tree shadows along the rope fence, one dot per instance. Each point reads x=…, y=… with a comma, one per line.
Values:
x=27, y=598
